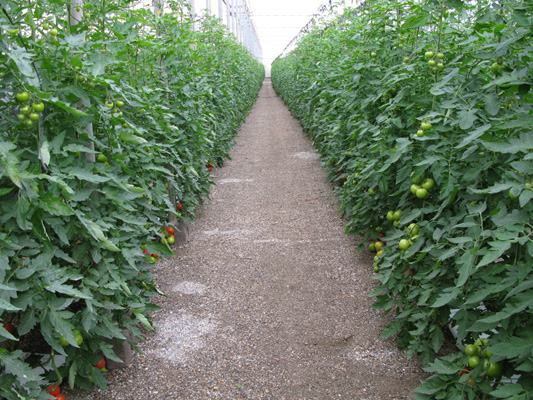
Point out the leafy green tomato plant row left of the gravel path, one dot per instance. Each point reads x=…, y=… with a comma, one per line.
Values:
x=111, y=120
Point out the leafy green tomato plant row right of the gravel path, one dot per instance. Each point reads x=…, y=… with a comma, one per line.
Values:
x=422, y=112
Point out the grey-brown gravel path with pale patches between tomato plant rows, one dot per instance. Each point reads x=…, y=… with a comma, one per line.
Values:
x=268, y=300
